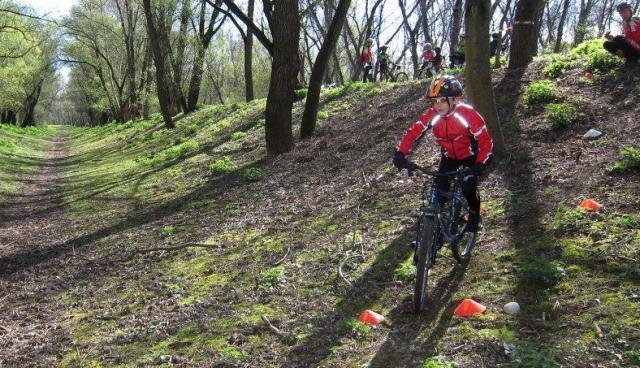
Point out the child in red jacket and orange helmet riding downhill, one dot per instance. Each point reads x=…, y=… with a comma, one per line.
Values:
x=461, y=133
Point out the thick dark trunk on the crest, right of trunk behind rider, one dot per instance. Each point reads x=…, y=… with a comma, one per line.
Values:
x=525, y=36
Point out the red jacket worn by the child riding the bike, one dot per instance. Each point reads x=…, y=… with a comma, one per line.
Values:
x=461, y=134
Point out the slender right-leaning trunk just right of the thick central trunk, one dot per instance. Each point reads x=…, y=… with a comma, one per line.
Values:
x=310, y=114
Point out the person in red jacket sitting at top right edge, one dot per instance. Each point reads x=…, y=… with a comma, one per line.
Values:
x=627, y=46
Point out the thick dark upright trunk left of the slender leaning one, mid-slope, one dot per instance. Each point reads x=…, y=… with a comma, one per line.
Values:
x=284, y=72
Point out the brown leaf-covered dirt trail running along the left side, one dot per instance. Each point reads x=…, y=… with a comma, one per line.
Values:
x=33, y=224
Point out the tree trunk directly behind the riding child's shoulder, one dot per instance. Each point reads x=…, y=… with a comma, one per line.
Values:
x=478, y=73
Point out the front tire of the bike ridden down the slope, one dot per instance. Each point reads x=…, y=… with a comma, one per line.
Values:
x=424, y=249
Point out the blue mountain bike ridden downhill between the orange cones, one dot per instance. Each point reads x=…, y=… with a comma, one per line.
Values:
x=442, y=219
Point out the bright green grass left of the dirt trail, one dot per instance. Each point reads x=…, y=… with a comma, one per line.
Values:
x=21, y=154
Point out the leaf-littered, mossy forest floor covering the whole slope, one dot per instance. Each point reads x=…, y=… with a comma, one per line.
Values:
x=191, y=248
